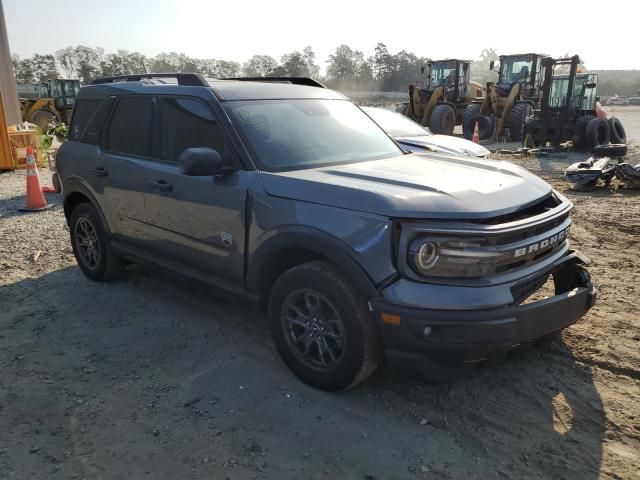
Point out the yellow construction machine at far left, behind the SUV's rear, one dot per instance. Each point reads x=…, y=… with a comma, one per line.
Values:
x=46, y=102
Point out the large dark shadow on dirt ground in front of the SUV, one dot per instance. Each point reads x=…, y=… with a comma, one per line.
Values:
x=152, y=377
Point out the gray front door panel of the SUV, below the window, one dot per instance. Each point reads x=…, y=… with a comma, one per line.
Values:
x=200, y=221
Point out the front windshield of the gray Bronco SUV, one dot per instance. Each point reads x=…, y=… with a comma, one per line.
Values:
x=295, y=134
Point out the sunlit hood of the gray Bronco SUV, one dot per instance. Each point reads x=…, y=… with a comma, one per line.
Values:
x=414, y=186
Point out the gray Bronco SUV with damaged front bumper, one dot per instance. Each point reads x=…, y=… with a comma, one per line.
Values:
x=285, y=193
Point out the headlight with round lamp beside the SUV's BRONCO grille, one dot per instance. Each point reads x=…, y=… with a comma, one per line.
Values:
x=452, y=257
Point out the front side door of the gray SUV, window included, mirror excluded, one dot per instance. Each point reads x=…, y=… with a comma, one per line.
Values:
x=199, y=221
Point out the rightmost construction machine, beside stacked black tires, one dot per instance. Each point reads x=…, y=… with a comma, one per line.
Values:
x=568, y=109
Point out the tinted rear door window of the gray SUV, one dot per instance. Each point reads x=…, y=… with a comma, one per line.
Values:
x=130, y=128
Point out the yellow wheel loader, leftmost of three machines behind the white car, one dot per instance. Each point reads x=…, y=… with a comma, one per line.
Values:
x=440, y=101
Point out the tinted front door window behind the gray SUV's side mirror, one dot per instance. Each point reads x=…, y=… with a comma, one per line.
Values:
x=187, y=123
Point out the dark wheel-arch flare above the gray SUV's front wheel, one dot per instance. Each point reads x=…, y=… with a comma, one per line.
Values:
x=310, y=239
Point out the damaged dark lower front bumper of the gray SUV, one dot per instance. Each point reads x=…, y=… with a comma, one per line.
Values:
x=471, y=334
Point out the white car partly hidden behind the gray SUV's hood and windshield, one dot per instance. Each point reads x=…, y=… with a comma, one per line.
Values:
x=415, y=138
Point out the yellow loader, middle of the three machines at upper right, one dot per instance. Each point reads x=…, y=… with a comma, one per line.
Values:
x=510, y=100
